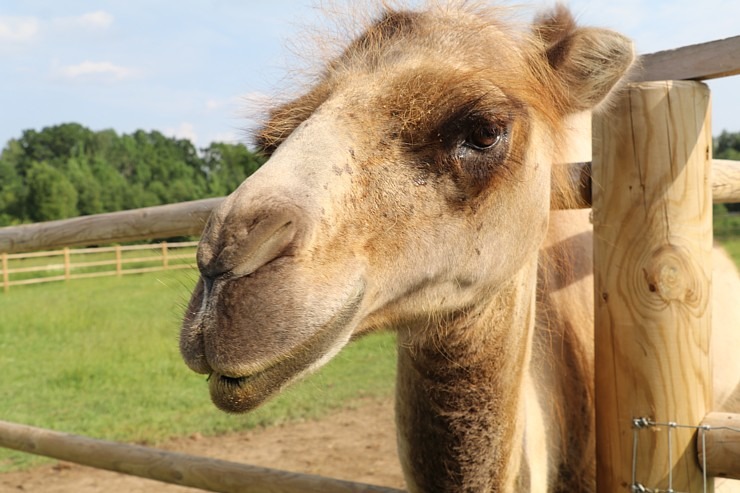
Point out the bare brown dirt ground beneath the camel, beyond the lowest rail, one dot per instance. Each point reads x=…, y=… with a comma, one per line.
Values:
x=354, y=444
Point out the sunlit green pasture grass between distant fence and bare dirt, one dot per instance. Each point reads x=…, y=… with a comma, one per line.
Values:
x=99, y=357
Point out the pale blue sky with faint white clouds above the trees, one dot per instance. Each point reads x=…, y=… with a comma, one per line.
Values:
x=193, y=69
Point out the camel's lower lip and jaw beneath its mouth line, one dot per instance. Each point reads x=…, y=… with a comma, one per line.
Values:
x=242, y=393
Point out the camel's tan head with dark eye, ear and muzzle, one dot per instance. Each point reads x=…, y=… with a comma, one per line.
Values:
x=407, y=184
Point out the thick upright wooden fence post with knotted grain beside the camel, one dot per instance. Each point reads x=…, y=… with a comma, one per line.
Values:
x=652, y=259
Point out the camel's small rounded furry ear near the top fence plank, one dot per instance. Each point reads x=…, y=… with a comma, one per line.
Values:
x=590, y=62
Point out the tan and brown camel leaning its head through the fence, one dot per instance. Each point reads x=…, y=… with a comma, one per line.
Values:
x=410, y=187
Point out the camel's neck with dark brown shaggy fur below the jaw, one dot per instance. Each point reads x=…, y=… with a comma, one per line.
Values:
x=461, y=394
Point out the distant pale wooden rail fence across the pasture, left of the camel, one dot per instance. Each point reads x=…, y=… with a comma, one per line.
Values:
x=18, y=269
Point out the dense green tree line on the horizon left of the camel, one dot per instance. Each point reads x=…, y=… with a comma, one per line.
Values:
x=68, y=170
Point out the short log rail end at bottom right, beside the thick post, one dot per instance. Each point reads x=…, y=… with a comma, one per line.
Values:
x=722, y=444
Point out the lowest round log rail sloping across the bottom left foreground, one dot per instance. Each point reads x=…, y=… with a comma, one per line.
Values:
x=170, y=467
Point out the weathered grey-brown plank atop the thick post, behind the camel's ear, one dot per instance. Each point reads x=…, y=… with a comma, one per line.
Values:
x=697, y=62
